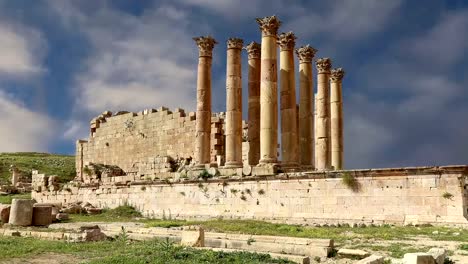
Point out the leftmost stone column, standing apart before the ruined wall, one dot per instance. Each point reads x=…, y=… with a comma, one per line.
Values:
x=203, y=121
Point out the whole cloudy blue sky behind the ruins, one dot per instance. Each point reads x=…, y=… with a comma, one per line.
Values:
x=405, y=90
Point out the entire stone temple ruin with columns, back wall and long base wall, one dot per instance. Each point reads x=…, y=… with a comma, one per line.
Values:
x=215, y=165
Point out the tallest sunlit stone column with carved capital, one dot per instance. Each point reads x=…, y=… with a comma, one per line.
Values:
x=268, y=91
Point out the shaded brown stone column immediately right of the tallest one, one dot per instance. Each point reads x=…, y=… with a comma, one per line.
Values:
x=289, y=151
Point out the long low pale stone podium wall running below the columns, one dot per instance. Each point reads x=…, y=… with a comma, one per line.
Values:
x=400, y=196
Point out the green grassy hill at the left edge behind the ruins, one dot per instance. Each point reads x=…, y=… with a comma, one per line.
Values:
x=50, y=164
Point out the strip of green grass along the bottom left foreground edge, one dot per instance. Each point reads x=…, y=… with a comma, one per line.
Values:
x=123, y=251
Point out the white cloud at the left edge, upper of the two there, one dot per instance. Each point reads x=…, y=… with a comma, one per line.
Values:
x=21, y=51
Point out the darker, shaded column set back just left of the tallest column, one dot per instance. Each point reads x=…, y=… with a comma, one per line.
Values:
x=253, y=134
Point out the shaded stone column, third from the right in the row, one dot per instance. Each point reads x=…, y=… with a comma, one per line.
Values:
x=306, y=105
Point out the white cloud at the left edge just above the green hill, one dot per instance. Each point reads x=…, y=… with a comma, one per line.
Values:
x=23, y=129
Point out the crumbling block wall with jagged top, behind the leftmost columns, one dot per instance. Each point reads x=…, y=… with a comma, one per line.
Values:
x=136, y=141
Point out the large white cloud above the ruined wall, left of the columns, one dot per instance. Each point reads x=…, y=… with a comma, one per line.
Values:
x=137, y=62
